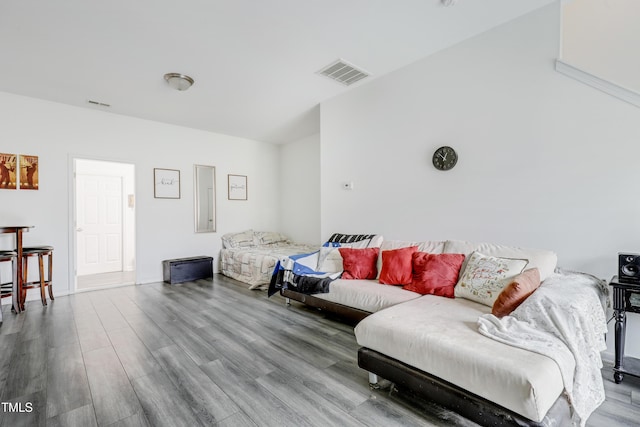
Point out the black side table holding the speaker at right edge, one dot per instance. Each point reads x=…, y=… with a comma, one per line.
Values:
x=626, y=298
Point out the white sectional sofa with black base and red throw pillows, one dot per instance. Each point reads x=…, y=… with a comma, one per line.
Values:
x=428, y=341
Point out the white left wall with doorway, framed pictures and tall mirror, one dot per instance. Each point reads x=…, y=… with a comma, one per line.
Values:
x=164, y=227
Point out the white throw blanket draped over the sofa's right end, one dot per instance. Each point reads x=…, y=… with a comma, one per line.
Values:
x=563, y=319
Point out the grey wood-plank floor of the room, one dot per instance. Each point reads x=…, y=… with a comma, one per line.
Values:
x=209, y=353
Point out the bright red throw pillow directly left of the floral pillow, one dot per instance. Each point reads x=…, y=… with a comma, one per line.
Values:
x=435, y=274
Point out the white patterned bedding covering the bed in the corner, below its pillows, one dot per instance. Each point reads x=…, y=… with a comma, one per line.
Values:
x=254, y=265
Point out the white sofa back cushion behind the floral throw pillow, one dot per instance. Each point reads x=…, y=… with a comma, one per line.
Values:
x=545, y=261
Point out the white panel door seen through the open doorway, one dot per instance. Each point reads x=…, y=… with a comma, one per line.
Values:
x=99, y=224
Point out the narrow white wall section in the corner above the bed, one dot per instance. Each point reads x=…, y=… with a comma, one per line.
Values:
x=300, y=190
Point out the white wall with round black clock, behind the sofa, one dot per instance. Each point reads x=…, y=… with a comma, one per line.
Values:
x=544, y=161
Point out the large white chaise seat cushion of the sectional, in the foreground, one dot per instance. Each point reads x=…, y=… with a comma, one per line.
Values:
x=440, y=336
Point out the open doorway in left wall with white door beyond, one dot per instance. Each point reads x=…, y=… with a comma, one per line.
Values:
x=104, y=223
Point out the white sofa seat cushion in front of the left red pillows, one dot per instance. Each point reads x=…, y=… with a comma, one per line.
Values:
x=367, y=295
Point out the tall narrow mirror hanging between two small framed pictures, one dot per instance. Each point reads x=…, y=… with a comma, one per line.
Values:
x=205, y=198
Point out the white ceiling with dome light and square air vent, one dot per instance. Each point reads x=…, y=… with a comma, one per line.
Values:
x=254, y=62
